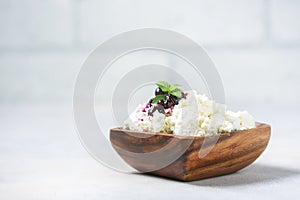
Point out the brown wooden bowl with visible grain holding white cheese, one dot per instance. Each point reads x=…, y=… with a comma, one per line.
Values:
x=180, y=154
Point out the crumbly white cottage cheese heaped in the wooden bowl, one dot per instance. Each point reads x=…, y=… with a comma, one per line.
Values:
x=194, y=115
